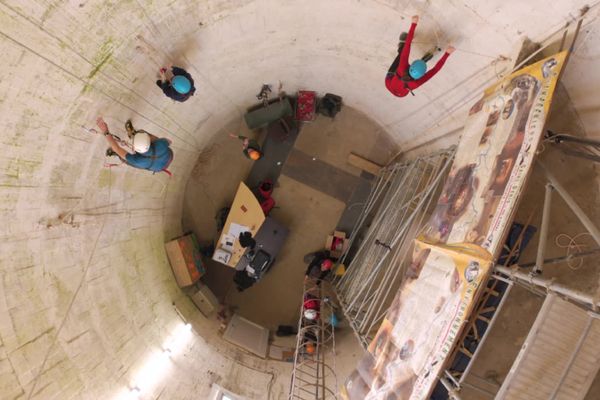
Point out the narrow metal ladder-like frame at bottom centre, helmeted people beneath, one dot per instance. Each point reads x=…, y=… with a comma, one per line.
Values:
x=313, y=375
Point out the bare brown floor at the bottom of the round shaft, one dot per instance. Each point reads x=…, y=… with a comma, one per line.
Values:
x=308, y=207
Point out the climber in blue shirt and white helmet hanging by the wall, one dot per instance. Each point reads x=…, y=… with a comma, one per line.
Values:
x=151, y=153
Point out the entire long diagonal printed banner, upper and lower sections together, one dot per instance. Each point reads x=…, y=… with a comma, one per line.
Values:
x=454, y=255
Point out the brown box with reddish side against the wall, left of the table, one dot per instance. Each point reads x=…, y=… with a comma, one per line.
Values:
x=185, y=259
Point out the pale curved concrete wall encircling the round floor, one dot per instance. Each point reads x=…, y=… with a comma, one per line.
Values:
x=86, y=291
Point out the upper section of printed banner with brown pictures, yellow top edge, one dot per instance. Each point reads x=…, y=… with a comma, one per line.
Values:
x=496, y=151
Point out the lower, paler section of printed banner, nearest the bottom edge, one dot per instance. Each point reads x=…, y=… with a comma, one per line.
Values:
x=421, y=328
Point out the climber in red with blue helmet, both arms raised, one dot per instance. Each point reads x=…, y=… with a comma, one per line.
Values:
x=402, y=78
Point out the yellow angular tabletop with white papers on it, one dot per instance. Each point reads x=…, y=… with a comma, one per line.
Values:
x=245, y=215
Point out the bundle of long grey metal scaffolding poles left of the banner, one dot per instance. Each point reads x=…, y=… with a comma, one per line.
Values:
x=382, y=237
